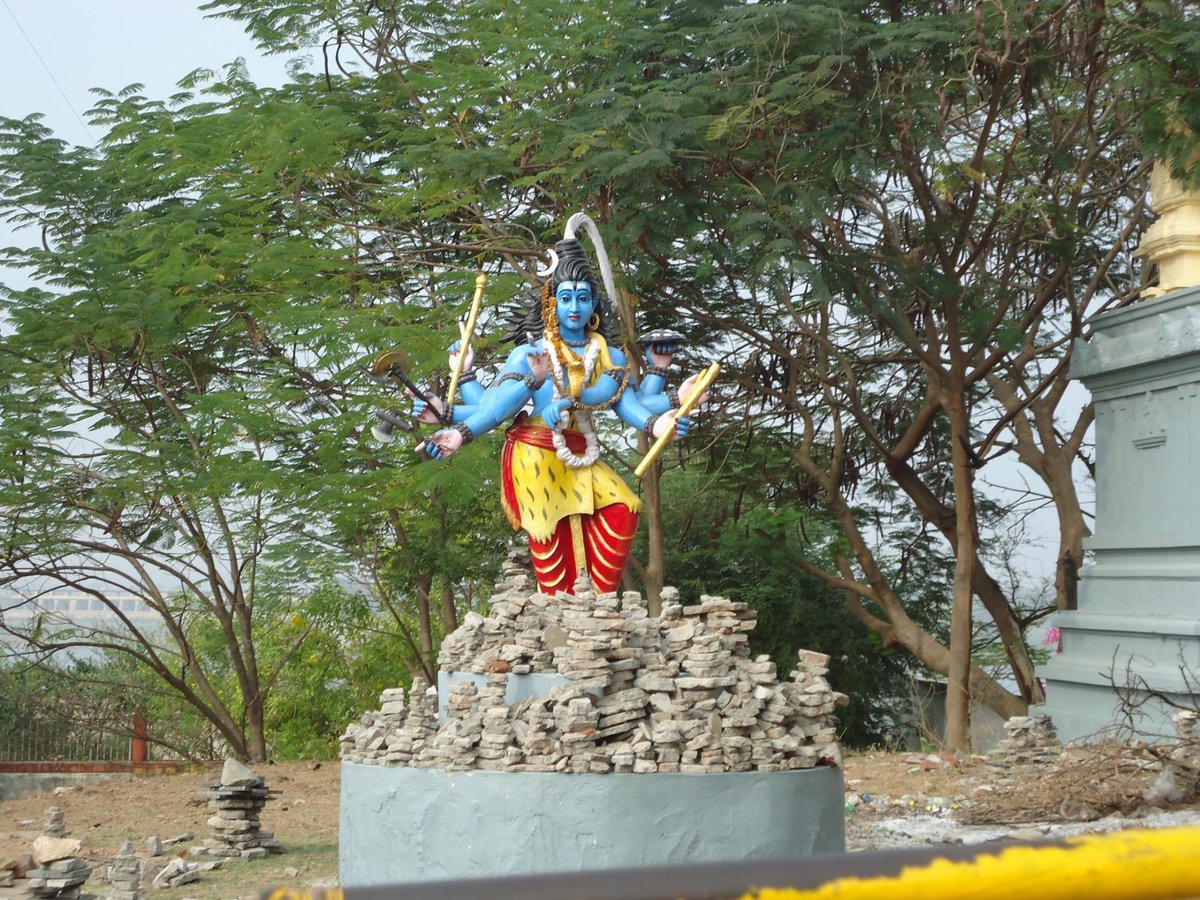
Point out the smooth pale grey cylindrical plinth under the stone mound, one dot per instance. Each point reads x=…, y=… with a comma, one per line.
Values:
x=407, y=825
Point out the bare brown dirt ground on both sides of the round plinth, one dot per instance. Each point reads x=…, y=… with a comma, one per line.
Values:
x=893, y=800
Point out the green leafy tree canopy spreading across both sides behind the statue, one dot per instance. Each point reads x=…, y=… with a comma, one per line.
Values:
x=850, y=203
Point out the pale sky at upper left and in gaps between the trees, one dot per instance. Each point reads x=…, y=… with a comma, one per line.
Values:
x=53, y=52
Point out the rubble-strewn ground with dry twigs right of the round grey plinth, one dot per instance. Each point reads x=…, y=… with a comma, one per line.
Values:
x=1029, y=789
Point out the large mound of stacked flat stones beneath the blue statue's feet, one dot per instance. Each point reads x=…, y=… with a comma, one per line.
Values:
x=675, y=694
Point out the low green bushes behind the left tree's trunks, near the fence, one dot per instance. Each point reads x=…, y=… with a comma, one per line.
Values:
x=326, y=657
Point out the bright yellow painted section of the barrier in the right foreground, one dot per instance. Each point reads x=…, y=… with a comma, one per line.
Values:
x=1145, y=865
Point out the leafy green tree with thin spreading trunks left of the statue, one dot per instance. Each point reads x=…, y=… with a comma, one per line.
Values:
x=171, y=406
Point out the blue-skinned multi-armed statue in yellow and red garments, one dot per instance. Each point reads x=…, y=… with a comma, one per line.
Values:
x=579, y=514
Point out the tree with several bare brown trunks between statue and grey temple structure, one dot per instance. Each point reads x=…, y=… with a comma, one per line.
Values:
x=938, y=195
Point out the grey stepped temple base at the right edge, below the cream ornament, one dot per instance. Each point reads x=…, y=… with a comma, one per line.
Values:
x=1137, y=631
